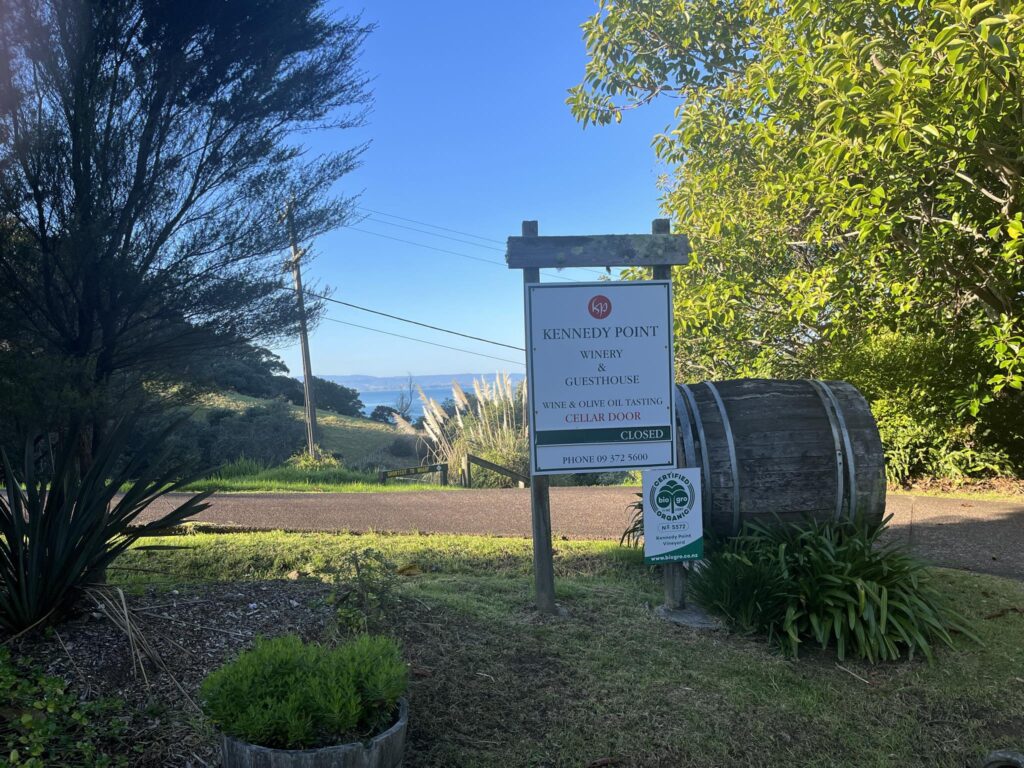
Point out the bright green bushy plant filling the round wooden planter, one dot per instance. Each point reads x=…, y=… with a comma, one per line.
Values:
x=287, y=695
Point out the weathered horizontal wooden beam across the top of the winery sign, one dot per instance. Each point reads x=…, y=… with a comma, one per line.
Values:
x=599, y=250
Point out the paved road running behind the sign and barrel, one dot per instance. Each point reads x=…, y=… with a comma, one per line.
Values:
x=979, y=536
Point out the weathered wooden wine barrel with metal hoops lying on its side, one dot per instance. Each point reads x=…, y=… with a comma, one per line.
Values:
x=792, y=449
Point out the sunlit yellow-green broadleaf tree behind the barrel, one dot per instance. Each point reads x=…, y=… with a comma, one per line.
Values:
x=846, y=172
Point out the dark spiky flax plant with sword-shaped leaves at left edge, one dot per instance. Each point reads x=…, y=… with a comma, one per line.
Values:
x=60, y=534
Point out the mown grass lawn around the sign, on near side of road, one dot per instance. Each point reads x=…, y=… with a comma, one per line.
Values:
x=496, y=685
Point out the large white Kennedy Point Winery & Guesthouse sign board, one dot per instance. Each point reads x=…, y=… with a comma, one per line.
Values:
x=601, y=376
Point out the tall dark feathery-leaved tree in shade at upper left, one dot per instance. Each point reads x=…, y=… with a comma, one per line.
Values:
x=147, y=151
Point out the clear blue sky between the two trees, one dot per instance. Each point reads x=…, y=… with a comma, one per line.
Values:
x=470, y=132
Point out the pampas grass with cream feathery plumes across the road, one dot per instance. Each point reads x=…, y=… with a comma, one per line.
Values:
x=492, y=425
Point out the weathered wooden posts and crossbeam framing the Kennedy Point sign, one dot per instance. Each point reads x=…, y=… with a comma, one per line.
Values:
x=660, y=251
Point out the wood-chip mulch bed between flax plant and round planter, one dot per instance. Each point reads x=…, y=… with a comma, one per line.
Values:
x=194, y=630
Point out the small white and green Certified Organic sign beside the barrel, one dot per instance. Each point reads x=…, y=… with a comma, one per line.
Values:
x=673, y=524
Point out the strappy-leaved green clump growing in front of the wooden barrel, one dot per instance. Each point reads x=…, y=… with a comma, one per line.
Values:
x=829, y=583
